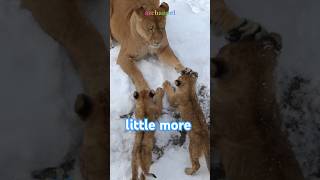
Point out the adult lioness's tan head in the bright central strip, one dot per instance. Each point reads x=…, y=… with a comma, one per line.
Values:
x=151, y=28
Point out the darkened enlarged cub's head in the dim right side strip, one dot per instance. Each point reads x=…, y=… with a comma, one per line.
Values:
x=242, y=65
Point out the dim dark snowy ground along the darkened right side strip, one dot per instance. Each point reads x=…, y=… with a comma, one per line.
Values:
x=298, y=72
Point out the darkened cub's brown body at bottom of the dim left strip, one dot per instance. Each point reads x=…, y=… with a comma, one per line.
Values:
x=93, y=157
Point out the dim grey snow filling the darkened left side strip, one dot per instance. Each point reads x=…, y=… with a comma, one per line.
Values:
x=38, y=89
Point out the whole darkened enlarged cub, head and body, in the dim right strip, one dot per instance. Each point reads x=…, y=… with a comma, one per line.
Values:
x=247, y=124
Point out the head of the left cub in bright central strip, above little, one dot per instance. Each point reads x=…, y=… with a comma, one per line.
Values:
x=145, y=105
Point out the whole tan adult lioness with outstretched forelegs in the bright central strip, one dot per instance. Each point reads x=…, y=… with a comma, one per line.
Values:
x=139, y=35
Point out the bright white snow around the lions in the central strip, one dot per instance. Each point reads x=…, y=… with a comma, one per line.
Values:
x=188, y=33
